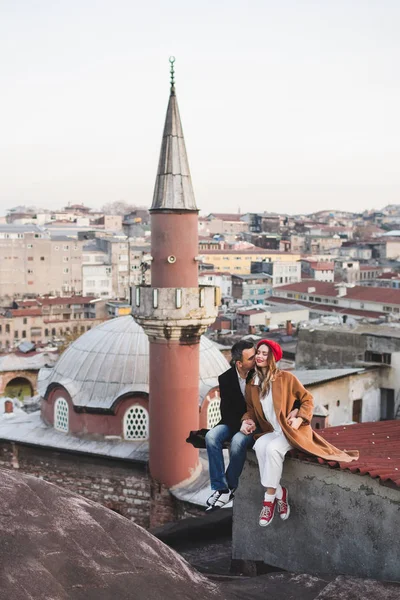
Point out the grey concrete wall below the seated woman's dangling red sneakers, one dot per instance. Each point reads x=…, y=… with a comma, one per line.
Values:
x=340, y=523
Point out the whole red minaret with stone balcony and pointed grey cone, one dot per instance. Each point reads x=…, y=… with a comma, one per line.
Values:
x=174, y=311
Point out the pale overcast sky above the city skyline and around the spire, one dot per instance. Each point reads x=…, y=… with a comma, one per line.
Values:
x=289, y=106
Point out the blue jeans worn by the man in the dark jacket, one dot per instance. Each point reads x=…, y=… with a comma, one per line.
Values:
x=240, y=442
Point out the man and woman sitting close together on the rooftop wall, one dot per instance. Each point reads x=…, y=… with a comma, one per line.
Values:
x=268, y=409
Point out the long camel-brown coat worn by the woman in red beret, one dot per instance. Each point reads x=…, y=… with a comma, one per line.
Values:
x=285, y=389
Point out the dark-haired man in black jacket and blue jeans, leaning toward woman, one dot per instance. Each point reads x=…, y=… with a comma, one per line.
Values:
x=232, y=386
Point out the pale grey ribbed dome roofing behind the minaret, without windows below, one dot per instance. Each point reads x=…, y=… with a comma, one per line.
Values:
x=112, y=360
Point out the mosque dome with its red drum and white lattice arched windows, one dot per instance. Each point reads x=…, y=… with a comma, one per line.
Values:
x=104, y=375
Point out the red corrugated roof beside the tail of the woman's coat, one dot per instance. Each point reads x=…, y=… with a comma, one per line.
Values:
x=378, y=444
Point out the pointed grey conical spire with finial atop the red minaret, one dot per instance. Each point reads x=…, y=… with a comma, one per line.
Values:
x=173, y=189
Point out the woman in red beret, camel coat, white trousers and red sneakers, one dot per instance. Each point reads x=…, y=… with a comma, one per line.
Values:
x=269, y=399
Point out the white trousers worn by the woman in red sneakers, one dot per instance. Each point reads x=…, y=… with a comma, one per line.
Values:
x=270, y=449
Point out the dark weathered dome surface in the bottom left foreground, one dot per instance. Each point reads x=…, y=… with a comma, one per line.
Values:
x=56, y=544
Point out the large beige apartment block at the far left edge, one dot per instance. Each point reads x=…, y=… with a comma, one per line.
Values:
x=32, y=263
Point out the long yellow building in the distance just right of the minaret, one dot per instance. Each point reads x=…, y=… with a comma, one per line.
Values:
x=238, y=262
